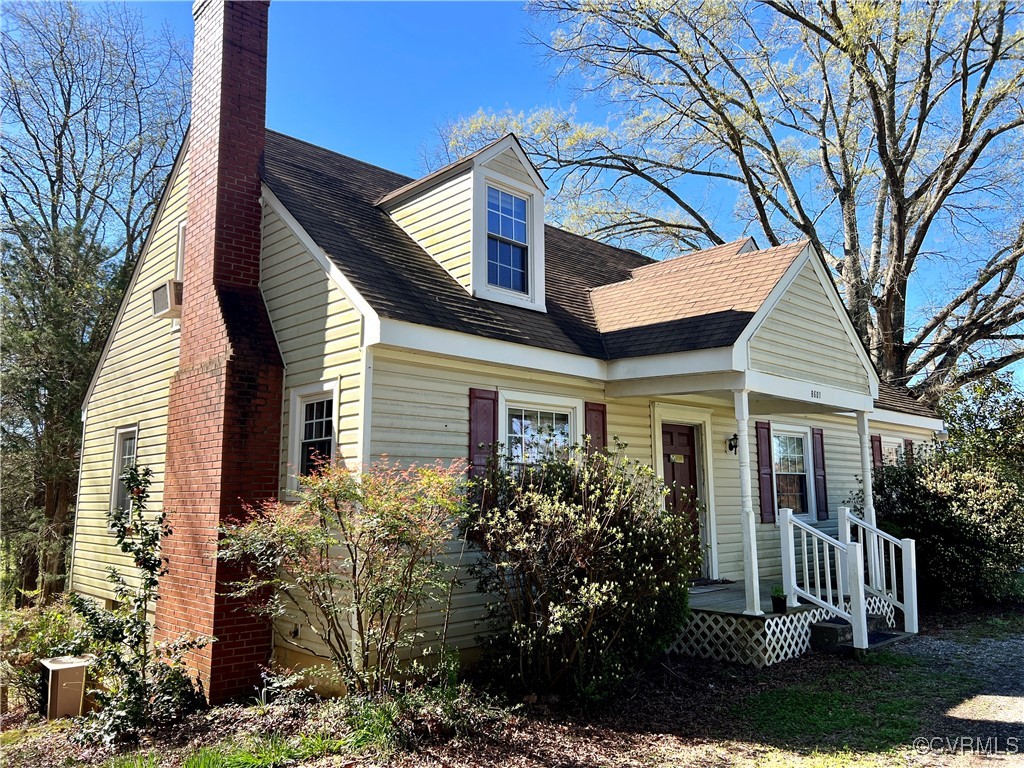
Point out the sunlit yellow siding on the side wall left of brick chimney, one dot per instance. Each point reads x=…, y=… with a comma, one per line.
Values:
x=133, y=388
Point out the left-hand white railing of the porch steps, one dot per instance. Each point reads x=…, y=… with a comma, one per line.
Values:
x=824, y=571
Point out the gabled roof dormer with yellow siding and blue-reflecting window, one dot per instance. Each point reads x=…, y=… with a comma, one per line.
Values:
x=482, y=219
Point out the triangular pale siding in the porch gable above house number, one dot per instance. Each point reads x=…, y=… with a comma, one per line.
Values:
x=803, y=337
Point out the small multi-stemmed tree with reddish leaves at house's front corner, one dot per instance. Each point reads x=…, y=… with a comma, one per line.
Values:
x=356, y=559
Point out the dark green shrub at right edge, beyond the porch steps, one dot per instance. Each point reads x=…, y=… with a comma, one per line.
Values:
x=968, y=522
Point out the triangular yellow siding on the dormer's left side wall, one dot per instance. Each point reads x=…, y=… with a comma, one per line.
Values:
x=441, y=221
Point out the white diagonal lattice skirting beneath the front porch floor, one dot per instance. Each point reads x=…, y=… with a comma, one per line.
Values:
x=759, y=642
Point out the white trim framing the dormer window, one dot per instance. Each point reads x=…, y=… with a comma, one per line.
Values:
x=534, y=298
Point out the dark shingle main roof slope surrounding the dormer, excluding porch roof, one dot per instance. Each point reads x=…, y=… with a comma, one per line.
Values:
x=334, y=198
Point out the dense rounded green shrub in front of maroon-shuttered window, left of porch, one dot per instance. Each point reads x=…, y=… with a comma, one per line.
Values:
x=587, y=571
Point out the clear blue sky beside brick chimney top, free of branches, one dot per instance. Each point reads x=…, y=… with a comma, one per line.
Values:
x=373, y=80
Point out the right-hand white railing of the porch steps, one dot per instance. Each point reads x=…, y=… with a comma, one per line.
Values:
x=891, y=565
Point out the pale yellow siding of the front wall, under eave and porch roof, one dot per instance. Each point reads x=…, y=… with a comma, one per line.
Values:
x=421, y=413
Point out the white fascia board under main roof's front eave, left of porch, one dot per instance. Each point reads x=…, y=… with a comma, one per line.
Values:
x=452, y=344
